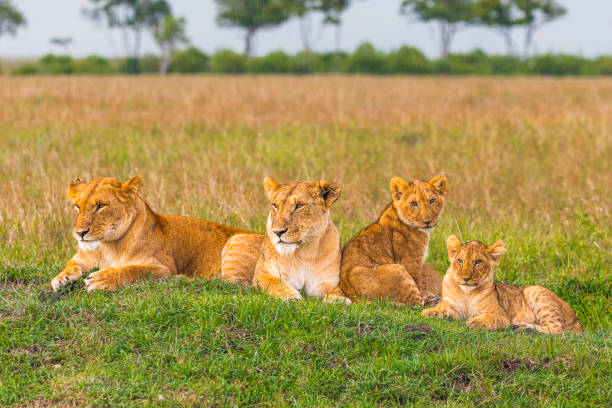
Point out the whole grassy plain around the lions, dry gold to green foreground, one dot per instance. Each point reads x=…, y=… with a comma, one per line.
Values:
x=529, y=161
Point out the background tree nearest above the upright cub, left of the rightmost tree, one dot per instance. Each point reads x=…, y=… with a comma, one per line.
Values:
x=449, y=14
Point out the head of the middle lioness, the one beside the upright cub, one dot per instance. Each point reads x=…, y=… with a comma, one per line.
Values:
x=299, y=212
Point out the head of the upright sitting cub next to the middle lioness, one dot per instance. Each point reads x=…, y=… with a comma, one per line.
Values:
x=419, y=204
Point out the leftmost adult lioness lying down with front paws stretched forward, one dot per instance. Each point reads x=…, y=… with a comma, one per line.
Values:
x=118, y=233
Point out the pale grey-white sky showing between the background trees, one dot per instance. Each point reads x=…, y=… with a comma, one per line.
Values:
x=585, y=30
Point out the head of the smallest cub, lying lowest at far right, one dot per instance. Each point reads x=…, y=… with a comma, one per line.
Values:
x=472, y=264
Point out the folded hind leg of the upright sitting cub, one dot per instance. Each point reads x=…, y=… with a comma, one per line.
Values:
x=390, y=281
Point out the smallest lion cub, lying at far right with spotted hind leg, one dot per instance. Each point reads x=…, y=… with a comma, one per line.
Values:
x=468, y=292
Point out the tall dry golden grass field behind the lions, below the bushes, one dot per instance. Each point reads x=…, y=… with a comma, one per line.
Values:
x=528, y=151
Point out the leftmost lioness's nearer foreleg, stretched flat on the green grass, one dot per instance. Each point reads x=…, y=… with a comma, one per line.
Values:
x=112, y=278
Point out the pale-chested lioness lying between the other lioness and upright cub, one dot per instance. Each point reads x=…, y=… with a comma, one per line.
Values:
x=301, y=247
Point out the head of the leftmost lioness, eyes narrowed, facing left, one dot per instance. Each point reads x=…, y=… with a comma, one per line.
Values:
x=103, y=209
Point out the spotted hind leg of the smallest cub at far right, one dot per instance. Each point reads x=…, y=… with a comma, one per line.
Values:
x=547, y=308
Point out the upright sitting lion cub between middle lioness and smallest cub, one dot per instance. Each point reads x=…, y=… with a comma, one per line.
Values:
x=387, y=258
